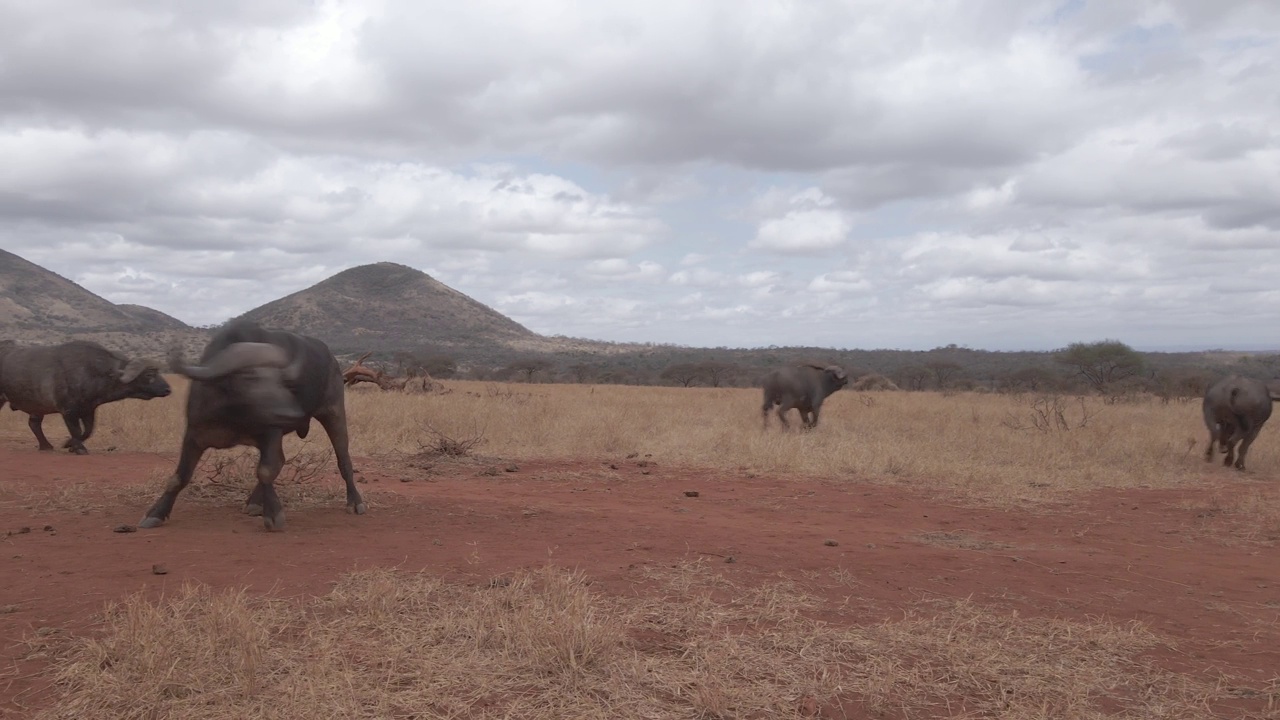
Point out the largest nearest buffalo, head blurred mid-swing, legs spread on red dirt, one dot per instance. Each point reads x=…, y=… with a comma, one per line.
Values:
x=253, y=388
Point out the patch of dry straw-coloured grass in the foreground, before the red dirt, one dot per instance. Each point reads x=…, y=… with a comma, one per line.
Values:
x=541, y=645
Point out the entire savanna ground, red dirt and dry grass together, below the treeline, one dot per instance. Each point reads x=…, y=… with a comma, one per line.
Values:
x=547, y=552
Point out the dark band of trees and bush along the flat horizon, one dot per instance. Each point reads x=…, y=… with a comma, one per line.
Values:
x=1107, y=367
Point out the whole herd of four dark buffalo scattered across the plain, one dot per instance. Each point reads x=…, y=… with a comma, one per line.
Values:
x=255, y=386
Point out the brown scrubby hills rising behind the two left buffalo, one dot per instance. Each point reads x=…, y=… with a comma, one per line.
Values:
x=383, y=307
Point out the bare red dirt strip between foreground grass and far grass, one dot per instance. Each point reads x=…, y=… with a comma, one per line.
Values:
x=1199, y=576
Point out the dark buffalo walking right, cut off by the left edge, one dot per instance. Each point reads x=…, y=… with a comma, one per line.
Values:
x=72, y=380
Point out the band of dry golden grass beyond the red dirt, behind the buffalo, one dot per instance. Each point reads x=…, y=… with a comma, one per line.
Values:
x=989, y=448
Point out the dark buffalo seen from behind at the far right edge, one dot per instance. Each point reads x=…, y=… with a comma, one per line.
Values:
x=1236, y=409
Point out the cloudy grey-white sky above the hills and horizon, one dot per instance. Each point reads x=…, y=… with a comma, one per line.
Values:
x=995, y=174
